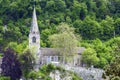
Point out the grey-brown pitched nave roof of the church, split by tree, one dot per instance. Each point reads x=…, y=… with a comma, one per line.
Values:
x=53, y=51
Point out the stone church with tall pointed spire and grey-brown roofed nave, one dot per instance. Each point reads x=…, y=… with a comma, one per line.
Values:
x=47, y=55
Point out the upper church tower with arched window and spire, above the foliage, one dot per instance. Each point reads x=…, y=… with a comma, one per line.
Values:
x=34, y=35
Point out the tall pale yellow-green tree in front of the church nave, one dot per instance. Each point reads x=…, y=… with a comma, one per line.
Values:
x=65, y=41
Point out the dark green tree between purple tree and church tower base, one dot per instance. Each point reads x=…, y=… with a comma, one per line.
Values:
x=27, y=62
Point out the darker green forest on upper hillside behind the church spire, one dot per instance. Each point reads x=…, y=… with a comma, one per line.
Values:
x=50, y=13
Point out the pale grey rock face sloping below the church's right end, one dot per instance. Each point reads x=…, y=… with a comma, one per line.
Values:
x=87, y=74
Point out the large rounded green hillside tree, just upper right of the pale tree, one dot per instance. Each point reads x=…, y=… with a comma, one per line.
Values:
x=90, y=29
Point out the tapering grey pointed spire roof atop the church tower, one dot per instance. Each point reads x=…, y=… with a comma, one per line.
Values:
x=34, y=25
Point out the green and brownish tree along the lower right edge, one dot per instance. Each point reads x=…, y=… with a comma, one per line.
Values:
x=113, y=69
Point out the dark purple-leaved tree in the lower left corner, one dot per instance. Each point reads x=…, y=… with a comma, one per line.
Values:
x=10, y=65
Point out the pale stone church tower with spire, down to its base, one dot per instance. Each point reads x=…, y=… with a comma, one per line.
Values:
x=34, y=39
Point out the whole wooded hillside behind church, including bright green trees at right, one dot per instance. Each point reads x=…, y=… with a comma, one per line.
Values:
x=96, y=21
